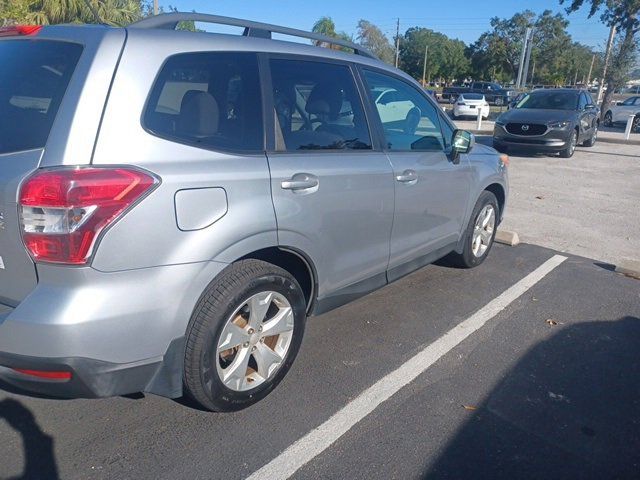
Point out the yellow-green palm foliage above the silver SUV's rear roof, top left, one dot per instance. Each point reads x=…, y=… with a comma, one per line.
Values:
x=45, y=12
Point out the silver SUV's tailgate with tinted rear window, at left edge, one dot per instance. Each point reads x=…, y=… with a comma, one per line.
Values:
x=33, y=81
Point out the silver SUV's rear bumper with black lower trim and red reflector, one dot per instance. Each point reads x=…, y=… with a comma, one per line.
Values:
x=115, y=333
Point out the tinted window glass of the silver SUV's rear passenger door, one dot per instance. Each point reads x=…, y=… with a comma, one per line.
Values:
x=317, y=106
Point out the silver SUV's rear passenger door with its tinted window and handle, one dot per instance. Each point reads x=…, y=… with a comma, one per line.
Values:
x=332, y=191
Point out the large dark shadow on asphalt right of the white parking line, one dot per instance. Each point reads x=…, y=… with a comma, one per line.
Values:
x=569, y=409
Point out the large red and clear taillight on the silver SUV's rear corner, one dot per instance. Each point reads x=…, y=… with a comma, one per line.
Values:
x=63, y=211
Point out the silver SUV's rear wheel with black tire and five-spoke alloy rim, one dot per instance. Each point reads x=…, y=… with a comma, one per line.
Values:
x=227, y=307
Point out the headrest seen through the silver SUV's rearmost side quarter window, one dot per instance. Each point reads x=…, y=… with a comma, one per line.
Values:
x=199, y=114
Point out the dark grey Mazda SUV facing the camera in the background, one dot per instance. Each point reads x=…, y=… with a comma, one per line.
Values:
x=549, y=120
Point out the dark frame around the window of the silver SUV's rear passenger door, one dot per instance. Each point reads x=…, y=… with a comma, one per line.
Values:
x=375, y=145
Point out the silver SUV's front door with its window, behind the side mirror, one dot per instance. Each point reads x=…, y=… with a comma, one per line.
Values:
x=431, y=192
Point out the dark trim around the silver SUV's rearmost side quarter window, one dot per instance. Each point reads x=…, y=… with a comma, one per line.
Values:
x=182, y=141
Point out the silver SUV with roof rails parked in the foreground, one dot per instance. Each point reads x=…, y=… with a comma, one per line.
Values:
x=174, y=205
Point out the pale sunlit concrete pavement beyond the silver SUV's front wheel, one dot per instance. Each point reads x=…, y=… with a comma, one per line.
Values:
x=586, y=205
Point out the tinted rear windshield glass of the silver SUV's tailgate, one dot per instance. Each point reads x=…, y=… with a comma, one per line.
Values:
x=33, y=79
